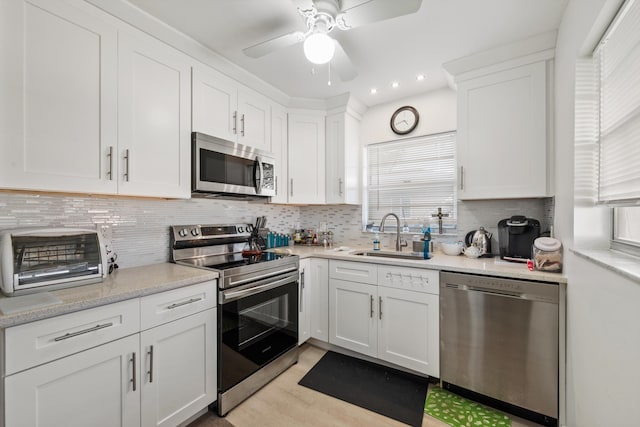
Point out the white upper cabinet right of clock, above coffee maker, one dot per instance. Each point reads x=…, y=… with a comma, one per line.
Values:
x=502, y=134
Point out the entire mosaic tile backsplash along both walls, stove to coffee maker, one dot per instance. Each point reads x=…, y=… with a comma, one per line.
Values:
x=140, y=227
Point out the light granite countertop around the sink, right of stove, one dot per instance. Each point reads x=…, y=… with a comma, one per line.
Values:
x=440, y=261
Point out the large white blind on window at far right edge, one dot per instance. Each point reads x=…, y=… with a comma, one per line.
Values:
x=618, y=56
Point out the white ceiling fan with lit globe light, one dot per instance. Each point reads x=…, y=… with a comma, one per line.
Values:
x=322, y=17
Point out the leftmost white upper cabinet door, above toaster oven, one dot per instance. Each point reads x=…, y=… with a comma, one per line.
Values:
x=59, y=93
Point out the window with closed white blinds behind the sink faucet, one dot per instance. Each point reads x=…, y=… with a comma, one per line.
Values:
x=412, y=178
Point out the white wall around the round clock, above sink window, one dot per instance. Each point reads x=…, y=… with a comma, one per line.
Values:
x=437, y=111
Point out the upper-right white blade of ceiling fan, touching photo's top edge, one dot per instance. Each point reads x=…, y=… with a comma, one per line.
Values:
x=376, y=10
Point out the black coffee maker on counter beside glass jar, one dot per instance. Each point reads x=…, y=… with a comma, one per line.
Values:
x=515, y=237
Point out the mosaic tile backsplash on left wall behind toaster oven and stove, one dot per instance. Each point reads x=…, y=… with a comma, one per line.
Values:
x=140, y=227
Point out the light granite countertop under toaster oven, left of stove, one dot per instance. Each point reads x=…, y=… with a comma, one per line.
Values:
x=122, y=284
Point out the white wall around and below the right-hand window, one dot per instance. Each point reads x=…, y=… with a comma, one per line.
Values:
x=603, y=320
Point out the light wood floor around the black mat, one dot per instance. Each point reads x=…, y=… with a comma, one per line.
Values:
x=284, y=403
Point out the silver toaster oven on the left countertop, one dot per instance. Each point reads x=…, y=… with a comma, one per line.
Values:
x=42, y=259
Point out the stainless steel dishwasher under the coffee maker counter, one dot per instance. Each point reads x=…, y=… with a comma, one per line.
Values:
x=499, y=340
